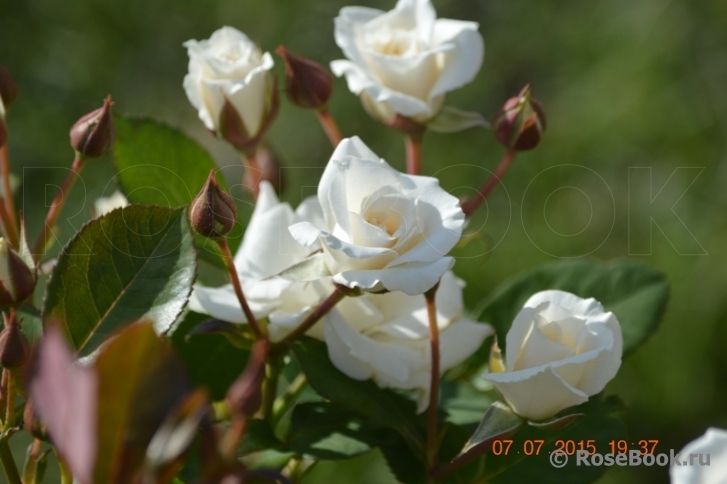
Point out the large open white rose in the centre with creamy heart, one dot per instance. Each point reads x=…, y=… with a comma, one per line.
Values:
x=384, y=230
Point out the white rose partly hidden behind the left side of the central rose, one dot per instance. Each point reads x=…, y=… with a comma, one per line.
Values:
x=267, y=248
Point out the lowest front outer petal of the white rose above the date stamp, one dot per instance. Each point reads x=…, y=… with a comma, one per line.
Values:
x=537, y=393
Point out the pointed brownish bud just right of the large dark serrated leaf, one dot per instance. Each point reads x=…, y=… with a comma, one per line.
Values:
x=212, y=212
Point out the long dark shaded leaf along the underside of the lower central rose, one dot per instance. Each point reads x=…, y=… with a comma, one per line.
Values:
x=381, y=408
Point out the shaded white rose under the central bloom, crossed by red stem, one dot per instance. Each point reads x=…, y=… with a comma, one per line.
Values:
x=386, y=337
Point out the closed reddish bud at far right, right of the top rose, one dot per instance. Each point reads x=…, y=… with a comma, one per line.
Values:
x=520, y=123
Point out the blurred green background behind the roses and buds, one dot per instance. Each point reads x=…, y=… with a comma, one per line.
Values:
x=625, y=83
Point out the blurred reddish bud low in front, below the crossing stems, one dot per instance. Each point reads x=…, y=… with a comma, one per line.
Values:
x=244, y=397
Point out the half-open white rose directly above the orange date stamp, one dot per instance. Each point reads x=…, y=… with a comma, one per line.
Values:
x=560, y=350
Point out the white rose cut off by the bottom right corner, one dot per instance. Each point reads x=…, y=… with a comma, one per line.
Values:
x=710, y=467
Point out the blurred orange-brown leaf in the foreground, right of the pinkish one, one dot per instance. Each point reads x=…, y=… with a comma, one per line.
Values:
x=132, y=408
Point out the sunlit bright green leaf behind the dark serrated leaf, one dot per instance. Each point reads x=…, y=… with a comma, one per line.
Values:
x=157, y=164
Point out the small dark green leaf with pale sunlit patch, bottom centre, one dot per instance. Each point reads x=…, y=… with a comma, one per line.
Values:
x=325, y=431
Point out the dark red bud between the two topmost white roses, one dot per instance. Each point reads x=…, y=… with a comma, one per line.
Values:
x=307, y=83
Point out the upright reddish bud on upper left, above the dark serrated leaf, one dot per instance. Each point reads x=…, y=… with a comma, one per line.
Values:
x=93, y=135
